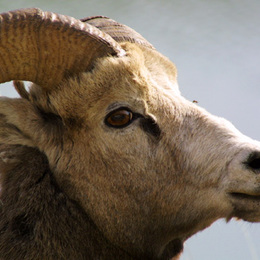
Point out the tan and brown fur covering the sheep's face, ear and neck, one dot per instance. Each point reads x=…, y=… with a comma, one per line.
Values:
x=145, y=193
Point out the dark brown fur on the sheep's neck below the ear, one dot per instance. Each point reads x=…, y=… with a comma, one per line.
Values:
x=38, y=220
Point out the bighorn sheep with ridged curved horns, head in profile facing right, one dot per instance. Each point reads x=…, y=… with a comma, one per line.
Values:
x=102, y=158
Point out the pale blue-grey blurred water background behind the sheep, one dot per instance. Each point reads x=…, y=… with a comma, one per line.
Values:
x=216, y=47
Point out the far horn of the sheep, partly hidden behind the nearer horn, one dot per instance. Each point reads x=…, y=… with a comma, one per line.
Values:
x=119, y=32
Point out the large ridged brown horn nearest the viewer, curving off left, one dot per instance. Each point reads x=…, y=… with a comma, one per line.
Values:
x=45, y=47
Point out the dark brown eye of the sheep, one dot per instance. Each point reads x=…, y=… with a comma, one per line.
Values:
x=119, y=118
